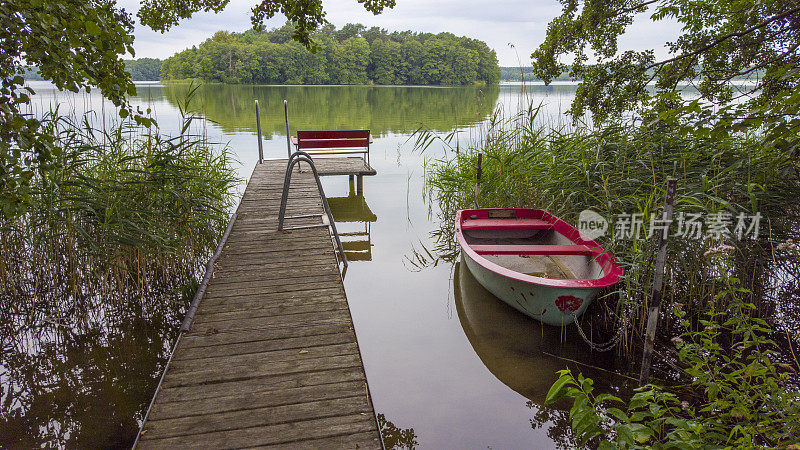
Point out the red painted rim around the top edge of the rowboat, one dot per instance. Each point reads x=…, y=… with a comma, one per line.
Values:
x=612, y=271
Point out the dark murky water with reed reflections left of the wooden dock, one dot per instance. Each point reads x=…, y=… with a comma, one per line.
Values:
x=85, y=385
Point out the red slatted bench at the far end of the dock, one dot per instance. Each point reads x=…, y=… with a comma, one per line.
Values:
x=333, y=142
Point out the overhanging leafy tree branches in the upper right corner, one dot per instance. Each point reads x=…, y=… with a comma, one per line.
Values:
x=721, y=41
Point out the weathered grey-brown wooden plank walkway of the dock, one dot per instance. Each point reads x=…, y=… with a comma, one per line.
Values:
x=271, y=359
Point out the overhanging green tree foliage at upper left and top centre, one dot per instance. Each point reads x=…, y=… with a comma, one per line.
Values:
x=79, y=44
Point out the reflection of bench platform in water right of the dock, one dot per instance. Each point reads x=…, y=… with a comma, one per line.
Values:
x=356, y=241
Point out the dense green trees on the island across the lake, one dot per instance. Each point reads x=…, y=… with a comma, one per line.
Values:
x=350, y=55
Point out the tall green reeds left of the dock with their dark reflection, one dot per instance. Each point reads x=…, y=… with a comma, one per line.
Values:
x=94, y=277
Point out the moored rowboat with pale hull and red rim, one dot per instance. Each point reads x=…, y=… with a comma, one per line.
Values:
x=534, y=261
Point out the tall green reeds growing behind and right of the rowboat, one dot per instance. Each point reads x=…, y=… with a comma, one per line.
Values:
x=622, y=169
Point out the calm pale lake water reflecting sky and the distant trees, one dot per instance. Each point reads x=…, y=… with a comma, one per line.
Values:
x=442, y=355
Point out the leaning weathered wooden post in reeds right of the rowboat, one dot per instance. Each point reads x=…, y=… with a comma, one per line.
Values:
x=654, y=309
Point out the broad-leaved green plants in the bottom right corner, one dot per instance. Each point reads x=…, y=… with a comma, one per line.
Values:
x=738, y=395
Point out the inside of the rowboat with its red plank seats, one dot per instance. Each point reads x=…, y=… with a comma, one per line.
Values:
x=530, y=246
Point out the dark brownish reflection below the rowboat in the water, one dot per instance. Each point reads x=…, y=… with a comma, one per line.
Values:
x=526, y=355
